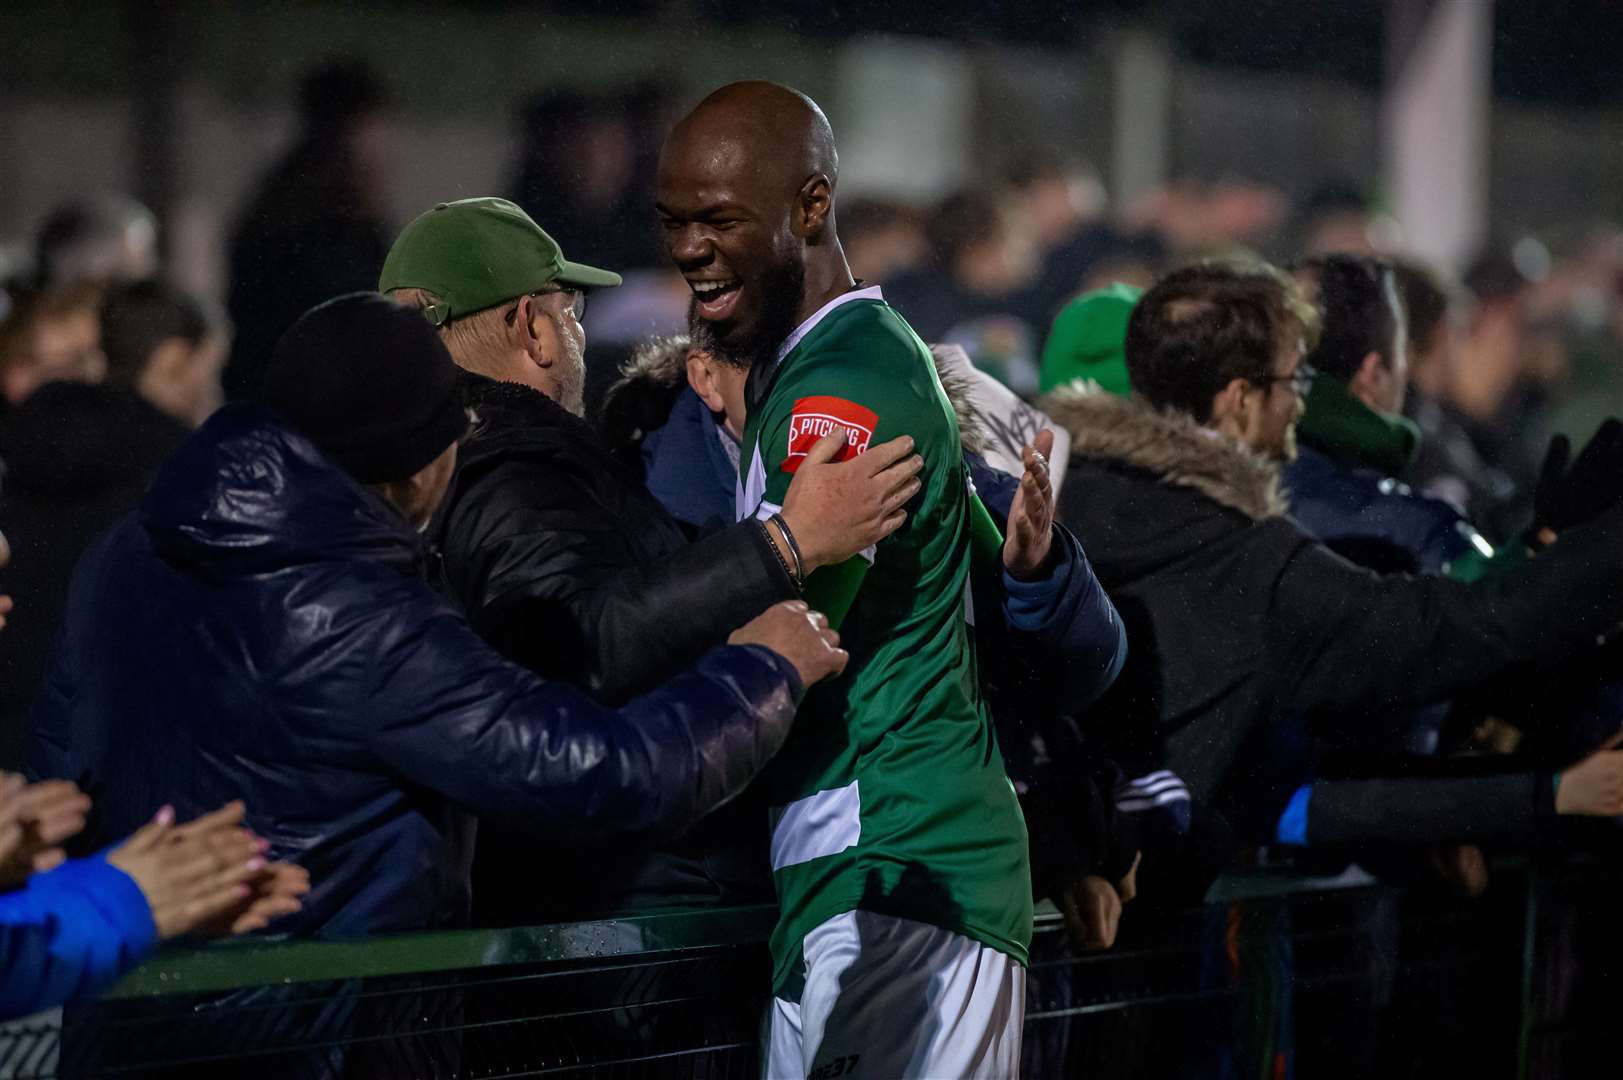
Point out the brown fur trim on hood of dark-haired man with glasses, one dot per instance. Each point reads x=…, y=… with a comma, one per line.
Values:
x=1169, y=446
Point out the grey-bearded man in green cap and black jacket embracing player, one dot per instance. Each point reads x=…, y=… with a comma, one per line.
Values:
x=567, y=566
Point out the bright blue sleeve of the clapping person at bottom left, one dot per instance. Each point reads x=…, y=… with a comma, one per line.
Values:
x=69, y=935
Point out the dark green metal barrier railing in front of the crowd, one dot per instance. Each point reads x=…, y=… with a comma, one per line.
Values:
x=1275, y=977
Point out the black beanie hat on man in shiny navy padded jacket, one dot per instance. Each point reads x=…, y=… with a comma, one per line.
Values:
x=371, y=384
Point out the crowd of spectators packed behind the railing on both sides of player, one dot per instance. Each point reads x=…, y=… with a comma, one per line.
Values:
x=1319, y=561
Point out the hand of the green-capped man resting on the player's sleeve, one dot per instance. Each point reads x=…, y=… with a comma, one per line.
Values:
x=838, y=509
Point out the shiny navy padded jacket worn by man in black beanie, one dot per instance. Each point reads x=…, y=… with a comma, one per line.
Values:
x=264, y=631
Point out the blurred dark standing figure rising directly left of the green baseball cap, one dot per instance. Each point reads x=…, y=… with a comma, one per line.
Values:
x=317, y=225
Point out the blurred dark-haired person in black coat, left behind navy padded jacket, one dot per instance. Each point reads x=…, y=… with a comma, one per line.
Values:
x=79, y=457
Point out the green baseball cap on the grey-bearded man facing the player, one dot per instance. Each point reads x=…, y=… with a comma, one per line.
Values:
x=476, y=254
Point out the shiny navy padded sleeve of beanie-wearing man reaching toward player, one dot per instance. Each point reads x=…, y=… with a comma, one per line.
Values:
x=449, y=714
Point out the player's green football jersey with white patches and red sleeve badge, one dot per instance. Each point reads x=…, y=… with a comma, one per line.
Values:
x=890, y=795
